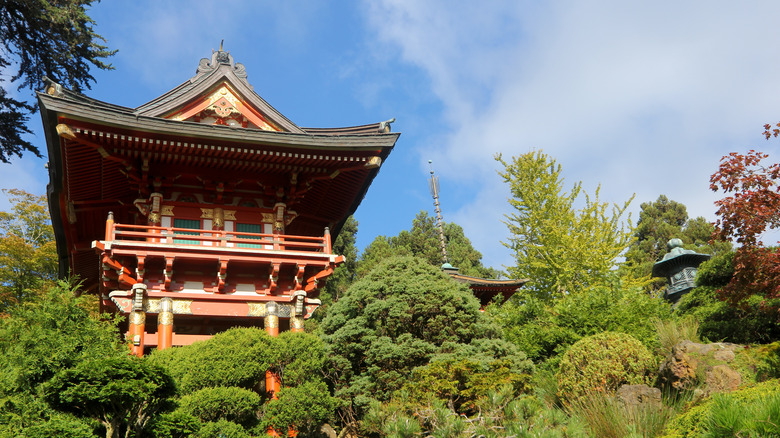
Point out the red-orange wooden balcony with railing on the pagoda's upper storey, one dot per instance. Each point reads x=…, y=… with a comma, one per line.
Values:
x=149, y=254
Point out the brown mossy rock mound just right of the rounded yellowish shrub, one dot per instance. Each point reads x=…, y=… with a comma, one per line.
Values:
x=690, y=362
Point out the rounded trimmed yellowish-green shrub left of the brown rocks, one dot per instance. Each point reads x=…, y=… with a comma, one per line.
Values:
x=602, y=363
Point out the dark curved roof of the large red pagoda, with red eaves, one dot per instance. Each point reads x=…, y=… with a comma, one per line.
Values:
x=213, y=134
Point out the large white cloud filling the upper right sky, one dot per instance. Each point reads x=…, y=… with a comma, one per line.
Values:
x=641, y=98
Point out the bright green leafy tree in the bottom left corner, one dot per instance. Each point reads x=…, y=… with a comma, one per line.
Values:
x=39, y=338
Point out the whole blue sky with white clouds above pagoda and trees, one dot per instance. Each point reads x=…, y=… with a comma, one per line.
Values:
x=640, y=97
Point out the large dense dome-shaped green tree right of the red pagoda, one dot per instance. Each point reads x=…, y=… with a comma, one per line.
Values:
x=400, y=316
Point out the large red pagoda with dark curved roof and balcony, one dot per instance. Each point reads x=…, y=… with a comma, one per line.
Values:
x=203, y=209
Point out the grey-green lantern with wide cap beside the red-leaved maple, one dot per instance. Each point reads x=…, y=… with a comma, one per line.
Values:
x=679, y=266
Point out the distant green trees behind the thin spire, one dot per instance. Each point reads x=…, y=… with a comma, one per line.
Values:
x=422, y=241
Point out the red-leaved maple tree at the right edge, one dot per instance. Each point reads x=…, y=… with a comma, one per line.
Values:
x=751, y=207
